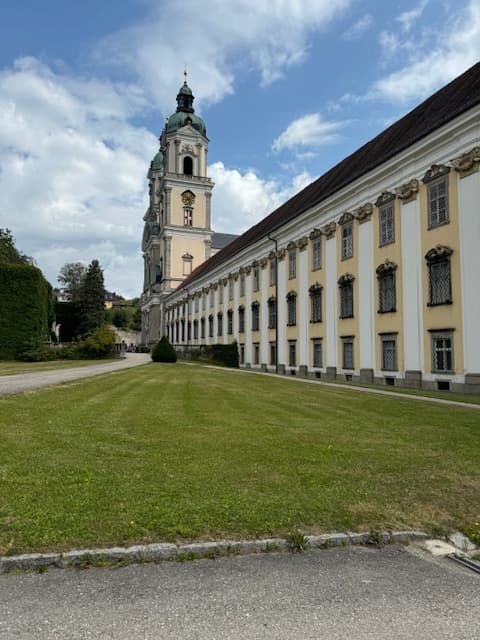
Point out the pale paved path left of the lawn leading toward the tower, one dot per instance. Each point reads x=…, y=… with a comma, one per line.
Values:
x=28, y=381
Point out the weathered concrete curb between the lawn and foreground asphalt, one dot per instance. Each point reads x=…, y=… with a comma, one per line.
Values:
x=160, y=552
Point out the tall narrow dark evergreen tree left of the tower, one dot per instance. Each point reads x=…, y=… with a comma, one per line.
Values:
x=92, y=299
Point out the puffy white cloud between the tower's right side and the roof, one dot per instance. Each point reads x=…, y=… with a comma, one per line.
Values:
x=243, y=199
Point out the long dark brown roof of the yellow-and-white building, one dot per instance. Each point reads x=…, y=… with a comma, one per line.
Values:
x=445, y=105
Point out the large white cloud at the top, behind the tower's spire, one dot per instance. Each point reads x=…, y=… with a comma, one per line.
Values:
x=215, y=38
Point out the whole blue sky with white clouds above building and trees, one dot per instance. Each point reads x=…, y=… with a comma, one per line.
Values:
x=286, y=88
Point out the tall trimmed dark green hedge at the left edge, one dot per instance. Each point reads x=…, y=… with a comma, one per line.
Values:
x=25, y=307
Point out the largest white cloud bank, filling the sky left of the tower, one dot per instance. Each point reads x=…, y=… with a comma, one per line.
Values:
x=72, y=169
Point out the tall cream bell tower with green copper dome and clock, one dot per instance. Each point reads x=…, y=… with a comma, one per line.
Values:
x=177, y=232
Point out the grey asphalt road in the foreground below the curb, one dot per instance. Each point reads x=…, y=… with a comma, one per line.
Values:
x=355, y=593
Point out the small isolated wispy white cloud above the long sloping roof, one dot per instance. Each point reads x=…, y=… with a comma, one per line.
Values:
x=308, y=131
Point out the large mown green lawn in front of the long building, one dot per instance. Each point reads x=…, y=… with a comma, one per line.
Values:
x=177, y=452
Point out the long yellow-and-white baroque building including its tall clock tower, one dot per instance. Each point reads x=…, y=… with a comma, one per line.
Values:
x=369, y=274
